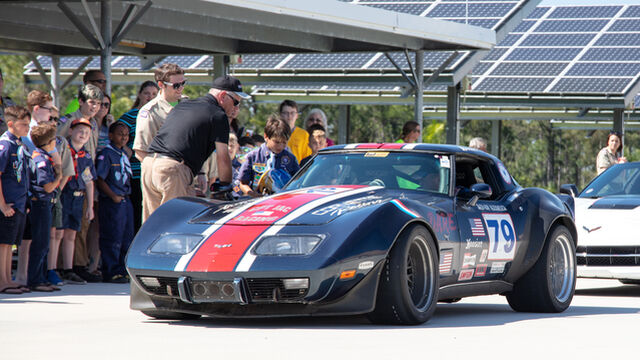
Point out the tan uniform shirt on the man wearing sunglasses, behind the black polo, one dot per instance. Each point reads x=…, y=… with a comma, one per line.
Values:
x=150, y=118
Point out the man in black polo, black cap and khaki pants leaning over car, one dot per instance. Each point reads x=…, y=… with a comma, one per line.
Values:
x=191, y=132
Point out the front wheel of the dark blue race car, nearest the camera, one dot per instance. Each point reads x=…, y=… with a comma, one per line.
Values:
x=408, y=288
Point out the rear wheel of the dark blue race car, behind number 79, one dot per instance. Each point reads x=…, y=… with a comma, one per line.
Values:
x=549, y=286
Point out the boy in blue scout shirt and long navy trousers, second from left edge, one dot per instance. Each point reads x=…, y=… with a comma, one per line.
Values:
x=44, y=180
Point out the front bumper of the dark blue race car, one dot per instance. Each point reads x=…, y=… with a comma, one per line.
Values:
x=254, y=294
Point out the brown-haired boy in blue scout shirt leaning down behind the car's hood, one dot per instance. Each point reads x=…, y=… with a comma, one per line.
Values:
x=272, y=154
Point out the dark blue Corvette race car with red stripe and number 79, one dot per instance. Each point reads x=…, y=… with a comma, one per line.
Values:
x=386, y=230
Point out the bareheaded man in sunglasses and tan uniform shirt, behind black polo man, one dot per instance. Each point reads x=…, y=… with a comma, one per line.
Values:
x=170, y=79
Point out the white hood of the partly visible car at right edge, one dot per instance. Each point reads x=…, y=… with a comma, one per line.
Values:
x=608, y=221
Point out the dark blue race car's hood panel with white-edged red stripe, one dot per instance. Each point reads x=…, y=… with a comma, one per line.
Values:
x=310, y=206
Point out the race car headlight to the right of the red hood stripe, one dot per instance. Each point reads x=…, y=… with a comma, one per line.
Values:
x=288, y=245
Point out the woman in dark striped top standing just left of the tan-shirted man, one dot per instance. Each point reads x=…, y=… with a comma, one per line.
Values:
x=148, y=91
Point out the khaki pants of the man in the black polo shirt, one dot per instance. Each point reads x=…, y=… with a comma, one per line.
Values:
x=162, y=180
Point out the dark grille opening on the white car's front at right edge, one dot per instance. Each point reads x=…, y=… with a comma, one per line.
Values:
x=608, y=255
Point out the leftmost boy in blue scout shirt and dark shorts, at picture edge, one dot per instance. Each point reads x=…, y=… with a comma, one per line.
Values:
x=14, y=184
